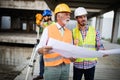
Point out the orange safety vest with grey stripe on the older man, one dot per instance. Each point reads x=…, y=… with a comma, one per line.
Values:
x=54, y=59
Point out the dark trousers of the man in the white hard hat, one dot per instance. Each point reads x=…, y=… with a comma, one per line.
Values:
x=88, y=73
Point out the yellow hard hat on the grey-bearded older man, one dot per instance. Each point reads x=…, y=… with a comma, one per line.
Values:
x=62, y=8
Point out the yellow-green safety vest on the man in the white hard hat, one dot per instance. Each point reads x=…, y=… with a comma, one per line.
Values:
x=89, y=41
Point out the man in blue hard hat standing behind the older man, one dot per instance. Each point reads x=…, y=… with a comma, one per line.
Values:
x=46, y=21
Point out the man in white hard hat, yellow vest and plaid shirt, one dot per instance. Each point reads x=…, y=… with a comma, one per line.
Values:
x=85, y=36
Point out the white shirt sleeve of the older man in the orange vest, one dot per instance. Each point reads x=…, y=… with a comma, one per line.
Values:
x=43, y=39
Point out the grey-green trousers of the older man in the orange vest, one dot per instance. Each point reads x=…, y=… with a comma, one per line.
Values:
x=60, y=72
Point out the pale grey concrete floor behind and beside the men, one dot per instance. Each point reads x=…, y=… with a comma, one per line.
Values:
x=108, y=68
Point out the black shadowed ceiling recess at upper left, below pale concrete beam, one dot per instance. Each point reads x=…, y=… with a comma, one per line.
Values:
x=22, y=13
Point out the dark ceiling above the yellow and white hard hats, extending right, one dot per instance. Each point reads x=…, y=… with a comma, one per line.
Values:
x=94, y=7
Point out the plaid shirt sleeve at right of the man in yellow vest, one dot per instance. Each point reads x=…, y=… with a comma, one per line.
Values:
x=99, y=44
